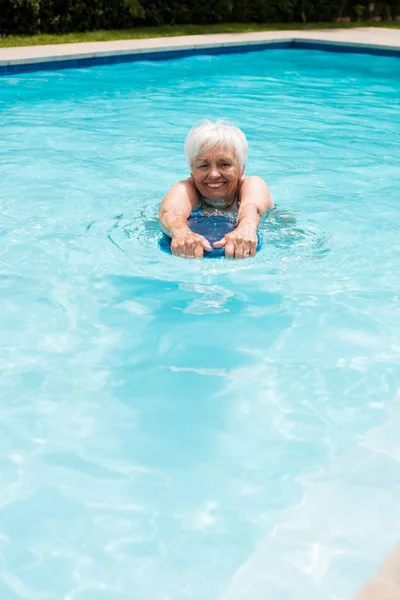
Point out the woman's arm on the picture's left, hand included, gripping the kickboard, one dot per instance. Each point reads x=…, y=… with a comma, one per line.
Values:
x=175, y=210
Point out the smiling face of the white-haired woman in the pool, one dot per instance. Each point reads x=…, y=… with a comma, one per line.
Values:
x=216, y=174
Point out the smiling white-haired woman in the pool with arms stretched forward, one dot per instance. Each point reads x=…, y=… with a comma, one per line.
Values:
x=216, y=154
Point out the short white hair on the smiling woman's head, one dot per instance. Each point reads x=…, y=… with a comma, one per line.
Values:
x=207, y=135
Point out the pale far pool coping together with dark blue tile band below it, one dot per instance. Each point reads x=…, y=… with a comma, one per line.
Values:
x=370, y=40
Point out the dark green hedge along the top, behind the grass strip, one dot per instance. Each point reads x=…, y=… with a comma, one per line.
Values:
x=62, y=16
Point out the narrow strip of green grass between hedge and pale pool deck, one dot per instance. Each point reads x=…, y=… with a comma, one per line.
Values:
x=174, y=30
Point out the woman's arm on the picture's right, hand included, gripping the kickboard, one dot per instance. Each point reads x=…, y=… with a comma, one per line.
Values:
x=255, y=200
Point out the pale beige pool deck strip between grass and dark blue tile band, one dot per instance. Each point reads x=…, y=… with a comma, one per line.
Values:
x=366, y=36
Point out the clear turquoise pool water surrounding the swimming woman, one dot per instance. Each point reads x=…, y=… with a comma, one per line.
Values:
x=198, y=430
